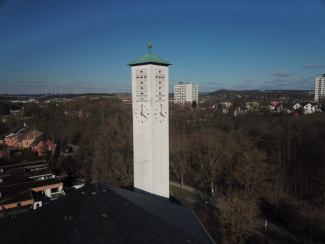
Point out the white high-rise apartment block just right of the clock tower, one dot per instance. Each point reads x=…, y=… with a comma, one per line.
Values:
x=186, y=92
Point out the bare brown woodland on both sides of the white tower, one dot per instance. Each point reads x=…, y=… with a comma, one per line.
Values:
x=257, y=166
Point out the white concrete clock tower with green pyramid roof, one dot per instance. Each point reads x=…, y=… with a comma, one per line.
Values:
x=150, y=124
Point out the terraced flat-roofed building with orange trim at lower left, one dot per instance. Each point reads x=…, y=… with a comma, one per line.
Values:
x=27, y=186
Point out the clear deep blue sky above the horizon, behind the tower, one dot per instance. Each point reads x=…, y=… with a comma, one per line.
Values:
x=81, y=46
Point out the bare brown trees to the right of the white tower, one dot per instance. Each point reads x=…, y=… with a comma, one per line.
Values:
x=261, y=166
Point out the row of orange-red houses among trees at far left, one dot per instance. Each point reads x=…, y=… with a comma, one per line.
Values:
x=28, y=137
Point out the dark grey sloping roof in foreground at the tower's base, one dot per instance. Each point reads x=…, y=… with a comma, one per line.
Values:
x=98, y=213
